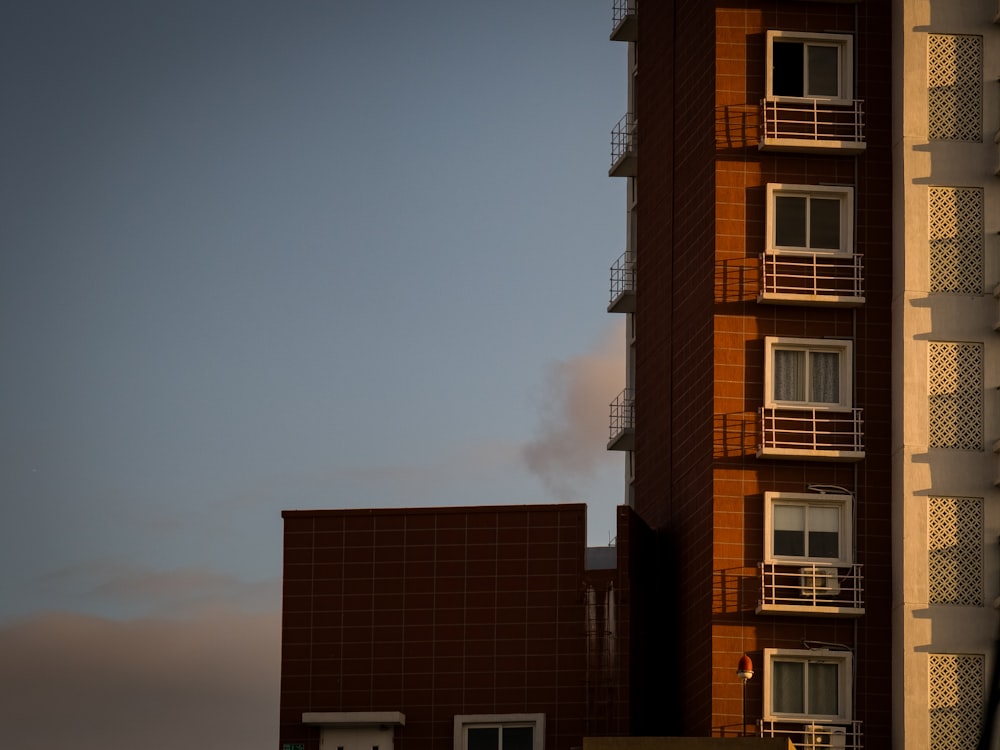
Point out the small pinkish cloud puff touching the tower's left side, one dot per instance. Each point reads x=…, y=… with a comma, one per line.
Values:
x=570, y=444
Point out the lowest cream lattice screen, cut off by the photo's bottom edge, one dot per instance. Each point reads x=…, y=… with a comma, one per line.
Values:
x=955, y=700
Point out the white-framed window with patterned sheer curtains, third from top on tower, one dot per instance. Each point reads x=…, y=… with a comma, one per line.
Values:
x=807, y=372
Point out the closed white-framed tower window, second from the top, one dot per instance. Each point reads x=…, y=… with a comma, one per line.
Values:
x=809, y=218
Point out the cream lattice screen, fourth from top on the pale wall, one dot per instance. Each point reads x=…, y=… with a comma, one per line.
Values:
x=955, y=551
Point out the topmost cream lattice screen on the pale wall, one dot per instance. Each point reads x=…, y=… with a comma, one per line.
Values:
x=954, y=87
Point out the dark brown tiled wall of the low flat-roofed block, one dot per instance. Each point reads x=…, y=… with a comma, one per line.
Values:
x=434, y=613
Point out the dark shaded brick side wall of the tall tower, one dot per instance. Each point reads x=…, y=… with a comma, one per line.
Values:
x=674, y=353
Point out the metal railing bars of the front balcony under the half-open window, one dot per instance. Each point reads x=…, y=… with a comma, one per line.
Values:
x=813, y=120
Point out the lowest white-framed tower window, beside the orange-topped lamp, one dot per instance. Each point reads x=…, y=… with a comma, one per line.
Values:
x=801, y=684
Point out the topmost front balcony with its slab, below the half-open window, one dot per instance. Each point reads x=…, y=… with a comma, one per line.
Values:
x=812, y=126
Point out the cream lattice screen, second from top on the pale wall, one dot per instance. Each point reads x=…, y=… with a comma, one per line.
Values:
x=956, y=231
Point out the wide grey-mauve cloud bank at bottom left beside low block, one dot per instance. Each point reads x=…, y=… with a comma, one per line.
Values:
x=90, y=683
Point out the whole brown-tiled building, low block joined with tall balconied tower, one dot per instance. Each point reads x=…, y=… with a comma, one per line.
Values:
x=811, y=426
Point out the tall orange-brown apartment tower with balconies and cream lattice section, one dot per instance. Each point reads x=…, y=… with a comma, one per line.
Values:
x=812, y=359
